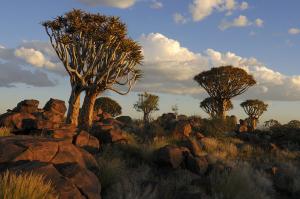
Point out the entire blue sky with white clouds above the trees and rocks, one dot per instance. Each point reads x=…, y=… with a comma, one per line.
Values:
x=207, y=33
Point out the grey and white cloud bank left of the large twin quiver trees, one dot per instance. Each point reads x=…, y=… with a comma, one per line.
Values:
x=30, y=64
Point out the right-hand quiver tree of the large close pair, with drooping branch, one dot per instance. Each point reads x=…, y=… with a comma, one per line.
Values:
x=115, y=58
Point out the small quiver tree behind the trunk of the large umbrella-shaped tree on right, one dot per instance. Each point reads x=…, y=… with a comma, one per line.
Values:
x=210, y=106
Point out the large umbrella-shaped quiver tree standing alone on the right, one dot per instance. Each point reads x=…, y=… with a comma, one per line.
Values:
x=223, y=83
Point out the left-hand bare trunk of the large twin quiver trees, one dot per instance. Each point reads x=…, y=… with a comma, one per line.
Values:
x=74, y=106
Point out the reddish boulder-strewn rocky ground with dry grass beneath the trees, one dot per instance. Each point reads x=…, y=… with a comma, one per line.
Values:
x=173, y=157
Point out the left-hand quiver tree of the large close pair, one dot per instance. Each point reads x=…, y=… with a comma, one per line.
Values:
x=72, y=39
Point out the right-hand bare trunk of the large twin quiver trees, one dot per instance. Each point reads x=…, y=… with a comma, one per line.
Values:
x=87, y=111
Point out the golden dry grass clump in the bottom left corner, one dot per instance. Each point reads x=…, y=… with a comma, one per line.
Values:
x=25, y=186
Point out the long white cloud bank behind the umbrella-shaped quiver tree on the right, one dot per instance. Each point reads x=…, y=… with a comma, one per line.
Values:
x=170, y=68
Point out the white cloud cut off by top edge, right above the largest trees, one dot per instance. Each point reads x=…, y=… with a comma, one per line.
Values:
x=111, y=3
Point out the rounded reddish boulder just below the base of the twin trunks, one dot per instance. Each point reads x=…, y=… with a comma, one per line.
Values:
x=87, y=142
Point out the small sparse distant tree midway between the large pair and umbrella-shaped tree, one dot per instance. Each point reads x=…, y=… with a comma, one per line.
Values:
x=147, y=104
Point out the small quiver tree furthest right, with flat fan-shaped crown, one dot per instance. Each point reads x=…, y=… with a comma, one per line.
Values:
x=254, y=109
